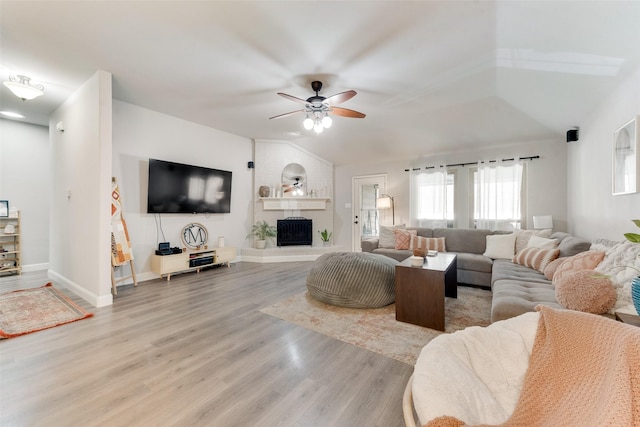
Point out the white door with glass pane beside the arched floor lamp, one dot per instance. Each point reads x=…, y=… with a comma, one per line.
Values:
x=366, y=218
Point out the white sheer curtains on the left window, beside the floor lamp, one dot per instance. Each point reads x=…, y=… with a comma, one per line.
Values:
x=431, y=199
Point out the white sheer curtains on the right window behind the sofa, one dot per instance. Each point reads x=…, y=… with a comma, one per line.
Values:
x=497, y=196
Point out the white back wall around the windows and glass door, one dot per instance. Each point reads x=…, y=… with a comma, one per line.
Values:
x=546, y=179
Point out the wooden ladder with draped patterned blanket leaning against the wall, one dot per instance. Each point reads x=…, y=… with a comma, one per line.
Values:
x=121, y=253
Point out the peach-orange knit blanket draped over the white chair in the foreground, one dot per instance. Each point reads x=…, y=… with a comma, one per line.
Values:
x=584, y=371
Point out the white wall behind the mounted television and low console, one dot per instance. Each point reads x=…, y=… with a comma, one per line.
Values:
x=140, y=134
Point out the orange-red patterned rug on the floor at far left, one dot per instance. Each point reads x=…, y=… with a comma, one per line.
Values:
x=31, y=310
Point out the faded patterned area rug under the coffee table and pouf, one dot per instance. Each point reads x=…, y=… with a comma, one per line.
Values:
x=377, y=329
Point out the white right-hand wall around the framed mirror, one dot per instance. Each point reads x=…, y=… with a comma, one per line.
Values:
x=593, y=210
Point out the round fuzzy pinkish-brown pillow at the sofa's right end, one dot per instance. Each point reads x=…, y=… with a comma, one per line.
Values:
x=586, y=290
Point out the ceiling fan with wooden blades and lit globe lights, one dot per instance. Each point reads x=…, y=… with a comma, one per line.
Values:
x=317, y=108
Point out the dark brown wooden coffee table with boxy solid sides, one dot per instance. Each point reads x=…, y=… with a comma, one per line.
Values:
x=420, y=291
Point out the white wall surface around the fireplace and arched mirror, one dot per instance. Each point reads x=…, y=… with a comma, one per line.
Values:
x=271, y=157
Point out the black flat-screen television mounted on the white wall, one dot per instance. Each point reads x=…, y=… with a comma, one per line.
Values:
x=181, y=188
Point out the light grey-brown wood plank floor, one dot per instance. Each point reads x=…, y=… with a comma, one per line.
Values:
x=195, y=352
